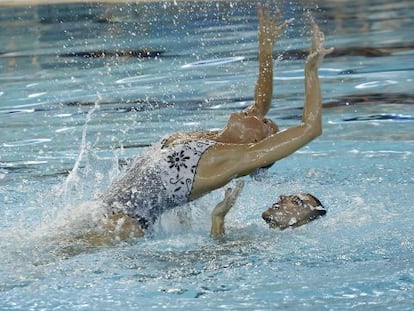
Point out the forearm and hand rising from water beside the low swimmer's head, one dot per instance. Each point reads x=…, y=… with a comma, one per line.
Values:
x=221, y=209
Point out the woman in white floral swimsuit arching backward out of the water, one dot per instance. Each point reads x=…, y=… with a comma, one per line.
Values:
x=186, y=166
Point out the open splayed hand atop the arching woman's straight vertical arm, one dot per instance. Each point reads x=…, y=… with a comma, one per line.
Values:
x=269, y=30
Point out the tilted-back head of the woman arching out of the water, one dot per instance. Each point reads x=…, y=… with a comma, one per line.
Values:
x=245, y=128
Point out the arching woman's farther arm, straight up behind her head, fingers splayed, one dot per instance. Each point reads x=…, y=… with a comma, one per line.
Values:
x=268, y=31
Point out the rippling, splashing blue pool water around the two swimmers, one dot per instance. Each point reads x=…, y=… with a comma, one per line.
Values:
x=68, y=119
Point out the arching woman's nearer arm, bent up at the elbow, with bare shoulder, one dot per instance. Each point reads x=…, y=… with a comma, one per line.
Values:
x=223, y=162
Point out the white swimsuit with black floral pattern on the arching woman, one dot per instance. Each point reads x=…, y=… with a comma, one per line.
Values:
x=160, y=179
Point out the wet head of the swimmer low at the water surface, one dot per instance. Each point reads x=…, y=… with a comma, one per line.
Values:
x=293, y=211
